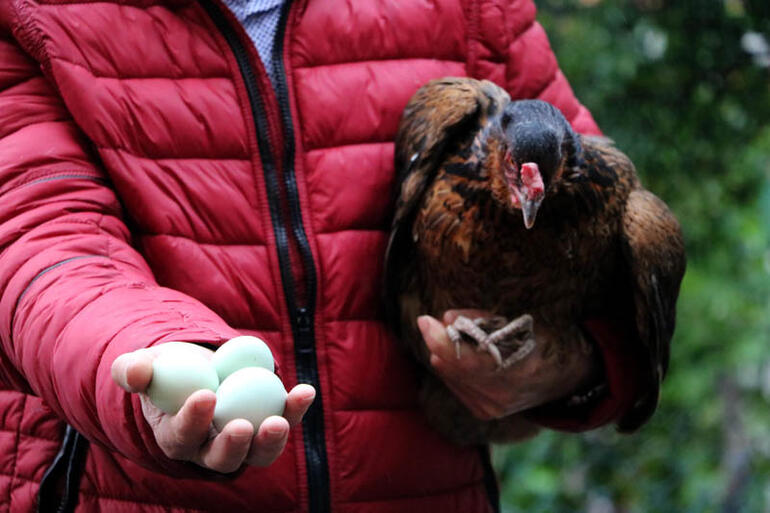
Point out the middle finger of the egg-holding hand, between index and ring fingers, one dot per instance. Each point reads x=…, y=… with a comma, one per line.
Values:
x=227, y=451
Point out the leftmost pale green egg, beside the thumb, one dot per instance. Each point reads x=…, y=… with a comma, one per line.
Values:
x=177, y=372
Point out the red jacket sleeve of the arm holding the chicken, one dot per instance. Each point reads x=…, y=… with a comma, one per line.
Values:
x=530, y=70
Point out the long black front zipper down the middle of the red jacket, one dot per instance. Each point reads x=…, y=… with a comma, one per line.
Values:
x=301, y=314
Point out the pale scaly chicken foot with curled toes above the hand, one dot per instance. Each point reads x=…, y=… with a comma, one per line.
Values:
x=520, y=330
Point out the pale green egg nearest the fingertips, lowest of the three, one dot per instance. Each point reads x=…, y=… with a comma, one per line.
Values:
x=251, y=393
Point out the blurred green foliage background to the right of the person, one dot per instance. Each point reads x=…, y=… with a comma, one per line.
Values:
x=684, y=89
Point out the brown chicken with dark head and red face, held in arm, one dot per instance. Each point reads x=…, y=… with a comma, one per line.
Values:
x=504, y=208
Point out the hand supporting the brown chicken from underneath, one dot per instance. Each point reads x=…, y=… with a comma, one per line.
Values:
x=491, y=393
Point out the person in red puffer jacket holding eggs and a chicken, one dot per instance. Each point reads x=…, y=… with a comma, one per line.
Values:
x=165, y=177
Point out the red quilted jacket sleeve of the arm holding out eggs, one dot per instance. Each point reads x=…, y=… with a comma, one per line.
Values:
x=74, y=294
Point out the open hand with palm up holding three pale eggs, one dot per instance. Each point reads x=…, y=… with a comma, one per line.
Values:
x=190, y=436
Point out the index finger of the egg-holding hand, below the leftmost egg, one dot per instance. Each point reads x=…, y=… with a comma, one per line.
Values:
x=181, y=435
